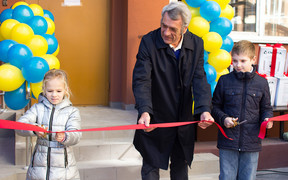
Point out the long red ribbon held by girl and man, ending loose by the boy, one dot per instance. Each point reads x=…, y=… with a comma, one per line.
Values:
x=6, y=124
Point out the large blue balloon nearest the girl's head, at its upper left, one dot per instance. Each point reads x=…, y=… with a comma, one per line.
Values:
x=34, y=70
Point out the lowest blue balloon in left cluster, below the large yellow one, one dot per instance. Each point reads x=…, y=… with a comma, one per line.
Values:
x=16, y=99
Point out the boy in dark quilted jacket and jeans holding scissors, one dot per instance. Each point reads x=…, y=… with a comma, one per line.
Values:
x=241, y=96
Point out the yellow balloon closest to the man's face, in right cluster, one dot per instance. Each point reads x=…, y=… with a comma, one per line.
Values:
x=199, y=26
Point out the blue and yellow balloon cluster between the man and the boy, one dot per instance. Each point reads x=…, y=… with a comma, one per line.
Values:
x=211, y=20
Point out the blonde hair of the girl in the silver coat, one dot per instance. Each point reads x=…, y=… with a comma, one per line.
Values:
x=60, y=74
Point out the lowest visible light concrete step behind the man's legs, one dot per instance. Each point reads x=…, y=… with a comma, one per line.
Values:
x=204, y=166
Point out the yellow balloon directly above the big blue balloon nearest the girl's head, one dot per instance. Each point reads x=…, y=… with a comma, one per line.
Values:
x=38, y=45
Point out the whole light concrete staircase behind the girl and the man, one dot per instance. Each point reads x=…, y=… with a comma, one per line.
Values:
x=109, y=155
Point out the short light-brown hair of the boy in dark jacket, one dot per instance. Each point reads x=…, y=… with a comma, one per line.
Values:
x=244, y=47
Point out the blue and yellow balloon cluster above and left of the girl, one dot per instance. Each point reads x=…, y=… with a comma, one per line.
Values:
x=28, y=49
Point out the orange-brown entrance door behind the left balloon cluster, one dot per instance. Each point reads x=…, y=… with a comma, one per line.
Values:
x=83, y=36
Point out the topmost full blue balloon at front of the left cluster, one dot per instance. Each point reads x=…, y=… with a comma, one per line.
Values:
x=22, y=13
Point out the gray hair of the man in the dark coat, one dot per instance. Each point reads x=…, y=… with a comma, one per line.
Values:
x=176, y=9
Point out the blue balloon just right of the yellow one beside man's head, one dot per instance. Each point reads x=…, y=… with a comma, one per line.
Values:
x=221, y=25
